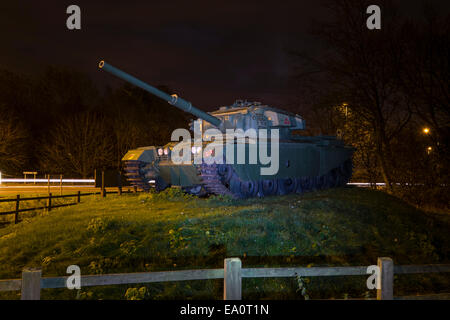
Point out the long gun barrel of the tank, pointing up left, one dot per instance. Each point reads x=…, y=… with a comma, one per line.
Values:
x=171, y=99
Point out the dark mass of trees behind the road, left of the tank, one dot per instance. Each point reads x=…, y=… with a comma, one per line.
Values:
x=71, y=129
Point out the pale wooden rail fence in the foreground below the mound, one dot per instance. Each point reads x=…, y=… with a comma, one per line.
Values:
x=232, y=273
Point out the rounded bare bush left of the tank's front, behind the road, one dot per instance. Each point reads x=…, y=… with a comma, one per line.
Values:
x=78, y=145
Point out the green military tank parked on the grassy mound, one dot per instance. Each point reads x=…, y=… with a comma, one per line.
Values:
x=305, y=163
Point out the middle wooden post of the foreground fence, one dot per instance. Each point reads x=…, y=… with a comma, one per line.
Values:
x=232, y=289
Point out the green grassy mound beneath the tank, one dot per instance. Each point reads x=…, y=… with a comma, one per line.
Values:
x=174, y=231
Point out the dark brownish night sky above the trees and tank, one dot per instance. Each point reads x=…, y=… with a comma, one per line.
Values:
x=209, y=52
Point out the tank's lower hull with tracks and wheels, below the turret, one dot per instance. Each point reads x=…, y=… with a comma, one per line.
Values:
x=303, y=165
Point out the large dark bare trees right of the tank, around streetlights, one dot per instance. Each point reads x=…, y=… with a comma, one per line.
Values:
x=394, y=81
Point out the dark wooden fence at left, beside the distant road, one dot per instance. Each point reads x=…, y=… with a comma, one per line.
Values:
x=49, y=198
